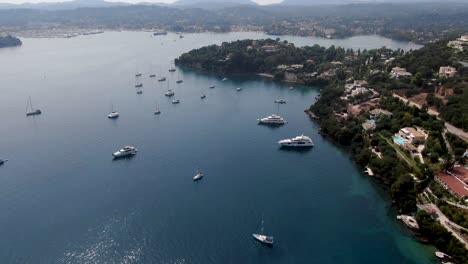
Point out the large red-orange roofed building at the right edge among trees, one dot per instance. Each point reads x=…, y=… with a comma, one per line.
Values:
x=455, y=180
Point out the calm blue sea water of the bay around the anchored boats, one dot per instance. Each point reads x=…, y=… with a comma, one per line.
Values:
x=64, y=200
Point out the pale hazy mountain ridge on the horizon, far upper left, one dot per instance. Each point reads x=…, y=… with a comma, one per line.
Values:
x=64, y=5
